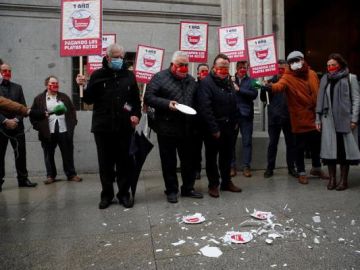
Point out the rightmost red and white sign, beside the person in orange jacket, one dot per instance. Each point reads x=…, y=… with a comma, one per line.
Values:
x=262, y=56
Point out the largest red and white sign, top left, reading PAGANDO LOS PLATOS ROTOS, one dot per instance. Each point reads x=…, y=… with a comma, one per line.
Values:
x=81, y=26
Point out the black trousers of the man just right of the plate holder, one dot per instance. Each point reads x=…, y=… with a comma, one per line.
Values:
x=218, y=154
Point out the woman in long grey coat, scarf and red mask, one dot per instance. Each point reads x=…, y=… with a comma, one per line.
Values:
x=337, y=113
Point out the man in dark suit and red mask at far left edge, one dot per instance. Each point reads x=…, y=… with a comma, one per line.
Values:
x=12, y=128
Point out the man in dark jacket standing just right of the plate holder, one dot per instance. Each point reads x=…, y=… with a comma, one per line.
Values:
x=217, y=108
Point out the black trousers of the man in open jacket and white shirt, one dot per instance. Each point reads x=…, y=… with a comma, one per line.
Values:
x=65, y=142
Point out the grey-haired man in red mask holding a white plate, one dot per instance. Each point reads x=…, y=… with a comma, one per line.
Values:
x=174, y=129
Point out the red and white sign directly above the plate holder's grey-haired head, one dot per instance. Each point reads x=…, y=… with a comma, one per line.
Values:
x=194, y=40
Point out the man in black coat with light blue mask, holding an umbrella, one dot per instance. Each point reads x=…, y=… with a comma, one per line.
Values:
x=114, y=92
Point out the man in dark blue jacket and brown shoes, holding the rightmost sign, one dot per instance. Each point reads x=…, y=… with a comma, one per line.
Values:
x=245, y=95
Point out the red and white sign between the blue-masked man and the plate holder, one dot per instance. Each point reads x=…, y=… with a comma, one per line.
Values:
x=149, y=61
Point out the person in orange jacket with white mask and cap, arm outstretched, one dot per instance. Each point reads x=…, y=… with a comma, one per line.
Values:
x=301, y=86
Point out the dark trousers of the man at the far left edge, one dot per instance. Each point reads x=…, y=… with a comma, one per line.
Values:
x=17, y=141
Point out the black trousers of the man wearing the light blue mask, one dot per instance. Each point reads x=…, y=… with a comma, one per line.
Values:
x=115, y=163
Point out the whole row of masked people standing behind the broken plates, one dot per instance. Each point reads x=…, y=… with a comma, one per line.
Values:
x=318, y=115
